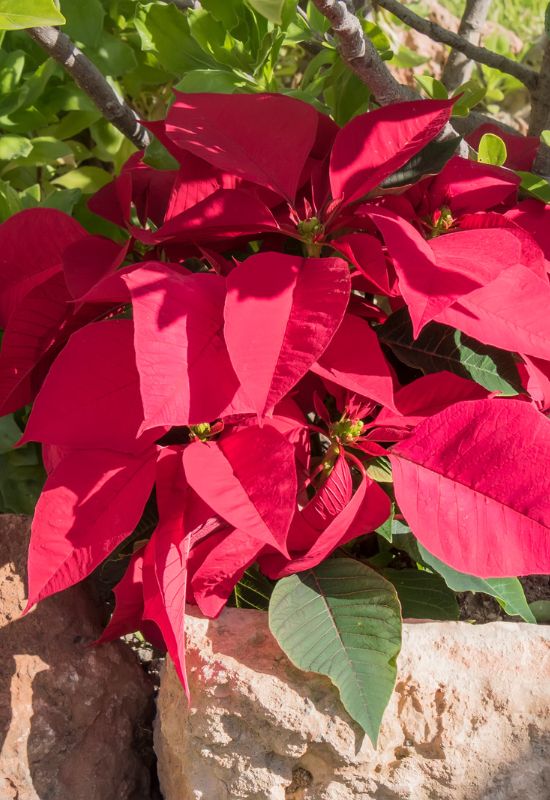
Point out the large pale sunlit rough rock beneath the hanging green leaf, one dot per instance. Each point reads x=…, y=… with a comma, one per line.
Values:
x=469, y=719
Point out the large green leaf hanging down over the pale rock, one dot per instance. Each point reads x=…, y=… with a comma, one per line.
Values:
x=342, y=619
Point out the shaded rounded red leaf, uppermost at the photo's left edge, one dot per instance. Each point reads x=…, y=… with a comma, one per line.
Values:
x=32, y=244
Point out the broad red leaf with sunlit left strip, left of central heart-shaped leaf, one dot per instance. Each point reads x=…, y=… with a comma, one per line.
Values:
x=185, y=374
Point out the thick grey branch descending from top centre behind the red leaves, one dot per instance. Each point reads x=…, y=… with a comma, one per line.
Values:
x=362, y=57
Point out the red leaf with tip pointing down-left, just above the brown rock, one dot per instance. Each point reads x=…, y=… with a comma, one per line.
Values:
x=91, y=502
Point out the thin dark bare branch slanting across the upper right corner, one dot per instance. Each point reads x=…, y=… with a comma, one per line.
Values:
x=435, y=32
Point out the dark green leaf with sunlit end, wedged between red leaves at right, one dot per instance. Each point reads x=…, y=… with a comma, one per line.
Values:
x=440, y=347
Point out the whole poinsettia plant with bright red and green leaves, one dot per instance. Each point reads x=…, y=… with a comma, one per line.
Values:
x=306, y=357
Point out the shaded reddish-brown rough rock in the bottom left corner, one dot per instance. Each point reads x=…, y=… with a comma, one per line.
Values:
x=71, y=716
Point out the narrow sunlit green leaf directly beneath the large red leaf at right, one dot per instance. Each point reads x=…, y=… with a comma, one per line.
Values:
x=507, y=591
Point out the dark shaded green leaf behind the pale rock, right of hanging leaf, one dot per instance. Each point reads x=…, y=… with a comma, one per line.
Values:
x=423, y=595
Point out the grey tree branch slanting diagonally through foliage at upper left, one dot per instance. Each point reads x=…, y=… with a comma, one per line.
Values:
x=92, y=82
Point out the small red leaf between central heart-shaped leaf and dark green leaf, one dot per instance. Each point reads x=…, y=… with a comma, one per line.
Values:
x=354, y=360
